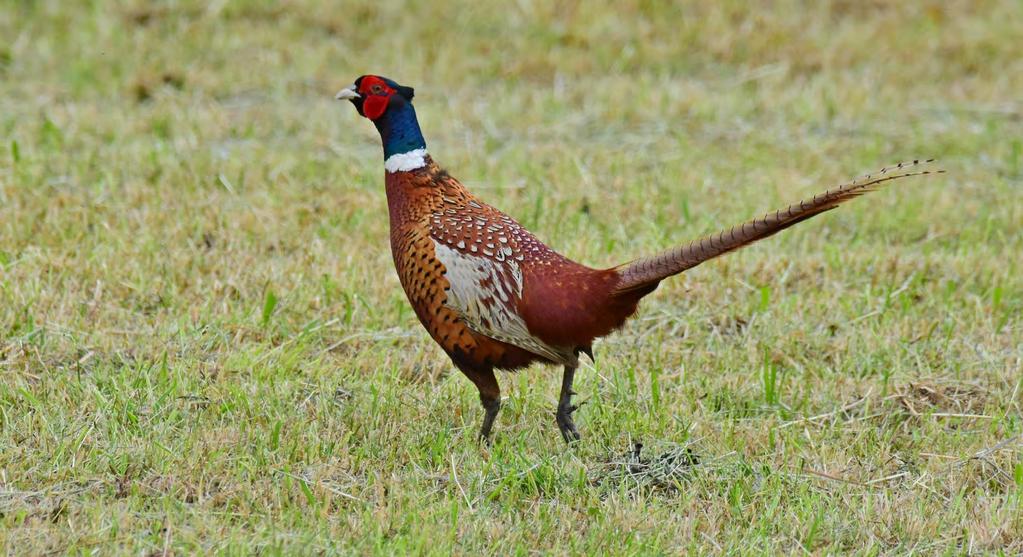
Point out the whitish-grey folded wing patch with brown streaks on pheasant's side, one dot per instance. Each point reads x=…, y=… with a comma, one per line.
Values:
x=485, y=292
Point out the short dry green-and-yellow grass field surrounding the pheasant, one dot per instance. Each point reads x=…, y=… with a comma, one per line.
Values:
x=204, y=346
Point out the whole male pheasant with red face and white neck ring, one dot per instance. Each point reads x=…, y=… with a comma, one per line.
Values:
x=493, y=295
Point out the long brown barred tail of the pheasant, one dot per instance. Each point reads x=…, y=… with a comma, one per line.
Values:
x=648, y=272
